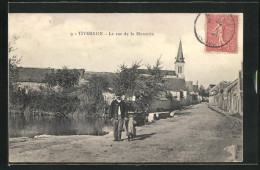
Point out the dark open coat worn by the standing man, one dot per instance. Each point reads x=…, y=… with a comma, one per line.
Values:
x=114, y=109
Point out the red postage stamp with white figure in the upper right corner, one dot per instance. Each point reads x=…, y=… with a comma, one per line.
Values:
x=221, y=33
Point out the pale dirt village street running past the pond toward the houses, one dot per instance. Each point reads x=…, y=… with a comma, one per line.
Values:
x=197, y=134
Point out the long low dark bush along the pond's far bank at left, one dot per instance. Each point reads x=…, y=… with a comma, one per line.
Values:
x=47, y=100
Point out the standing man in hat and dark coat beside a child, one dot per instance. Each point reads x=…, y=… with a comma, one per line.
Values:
x=118, y=114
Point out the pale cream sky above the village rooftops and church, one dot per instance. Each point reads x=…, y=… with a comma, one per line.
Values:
x=53, y=40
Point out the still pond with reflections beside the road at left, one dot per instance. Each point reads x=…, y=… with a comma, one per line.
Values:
x=30, y=126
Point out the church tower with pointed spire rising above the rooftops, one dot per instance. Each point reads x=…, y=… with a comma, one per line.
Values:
x=179, y=63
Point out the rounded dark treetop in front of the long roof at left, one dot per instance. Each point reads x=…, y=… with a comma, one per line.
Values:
x=64, y=78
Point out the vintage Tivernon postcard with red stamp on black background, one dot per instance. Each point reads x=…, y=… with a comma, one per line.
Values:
x=125, y=87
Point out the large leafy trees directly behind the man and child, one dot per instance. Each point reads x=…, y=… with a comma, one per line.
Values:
x=145, y=87
